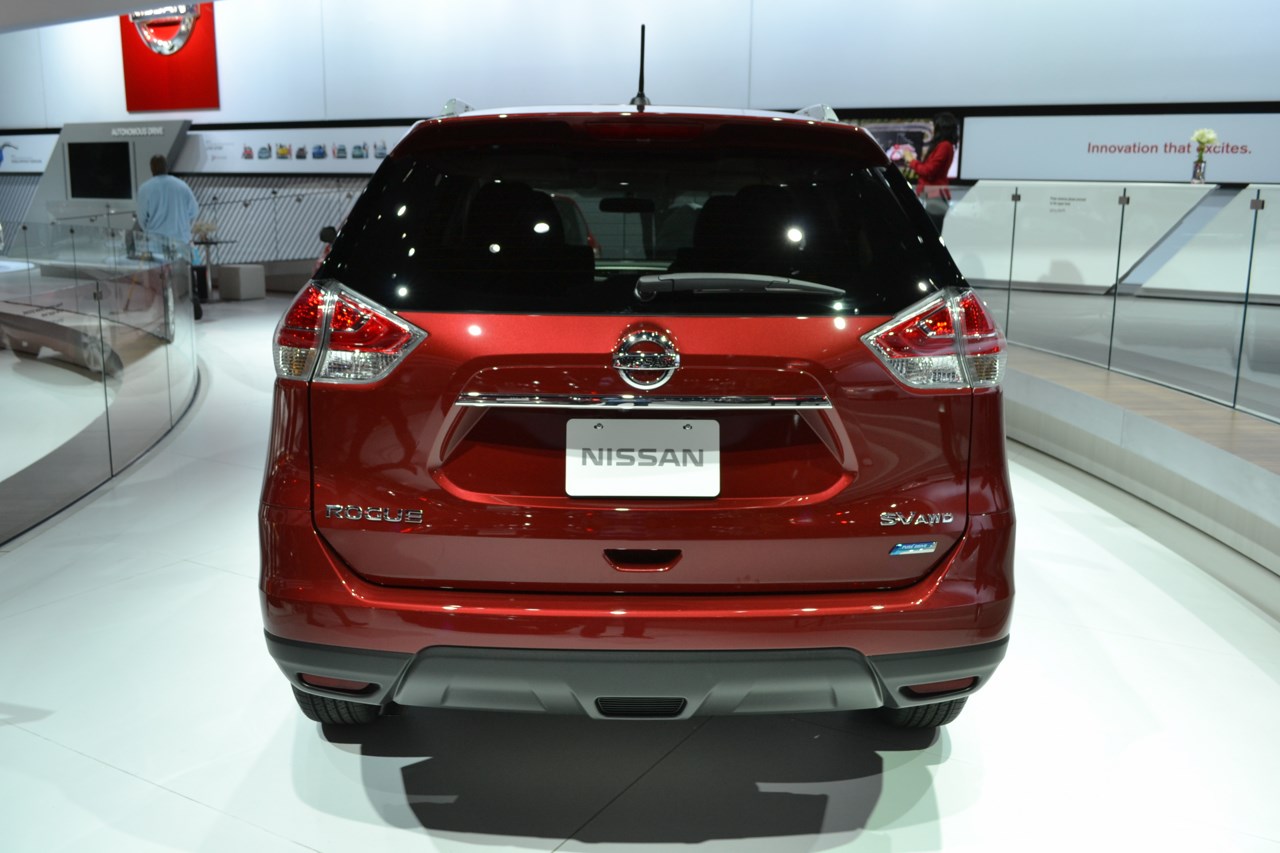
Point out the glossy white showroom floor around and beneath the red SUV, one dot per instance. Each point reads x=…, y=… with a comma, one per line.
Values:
x=1139, y=708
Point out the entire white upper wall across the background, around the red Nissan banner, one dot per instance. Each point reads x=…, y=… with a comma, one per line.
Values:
x=317, y=61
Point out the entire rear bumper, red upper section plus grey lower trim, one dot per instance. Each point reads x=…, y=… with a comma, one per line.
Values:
x=545, y=651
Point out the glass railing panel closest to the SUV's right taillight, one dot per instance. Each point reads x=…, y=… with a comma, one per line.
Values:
x=1067, y=239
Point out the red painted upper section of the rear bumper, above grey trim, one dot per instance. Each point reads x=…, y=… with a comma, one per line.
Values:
x=310, y=596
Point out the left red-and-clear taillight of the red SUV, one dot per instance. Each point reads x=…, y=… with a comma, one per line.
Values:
x=331, y=335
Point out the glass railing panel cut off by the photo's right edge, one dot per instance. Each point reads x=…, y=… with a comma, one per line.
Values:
x=1260, y=363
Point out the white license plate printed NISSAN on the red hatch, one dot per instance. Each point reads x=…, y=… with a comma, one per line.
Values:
x=615, y=458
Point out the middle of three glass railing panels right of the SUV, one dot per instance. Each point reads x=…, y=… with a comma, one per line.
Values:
x=1180, y=312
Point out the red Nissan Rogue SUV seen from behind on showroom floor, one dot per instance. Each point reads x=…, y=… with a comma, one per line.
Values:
x=744, y=455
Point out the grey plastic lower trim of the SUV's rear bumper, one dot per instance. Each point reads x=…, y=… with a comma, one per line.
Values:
x=638, y=685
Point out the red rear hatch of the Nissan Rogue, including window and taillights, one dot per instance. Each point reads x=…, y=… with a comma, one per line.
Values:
x=680, y=409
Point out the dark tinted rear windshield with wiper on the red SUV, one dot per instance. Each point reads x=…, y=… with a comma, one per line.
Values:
x=564, y=229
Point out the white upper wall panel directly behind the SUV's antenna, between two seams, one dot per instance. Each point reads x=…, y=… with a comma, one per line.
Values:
x=499, y=53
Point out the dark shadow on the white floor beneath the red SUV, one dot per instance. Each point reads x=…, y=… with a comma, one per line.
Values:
x=506, y=776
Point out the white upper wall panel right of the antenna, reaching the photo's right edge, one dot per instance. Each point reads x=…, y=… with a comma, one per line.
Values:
x=1000, y=53
